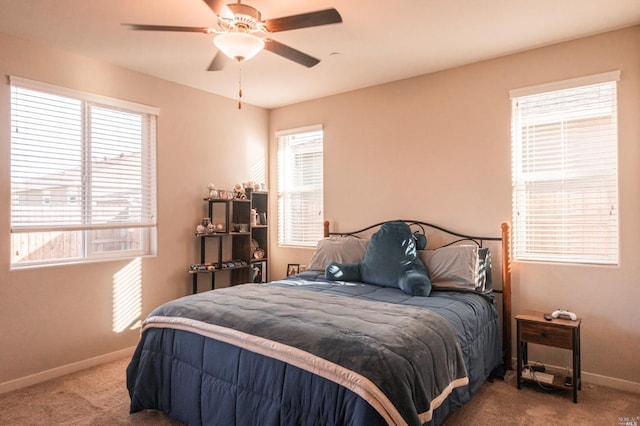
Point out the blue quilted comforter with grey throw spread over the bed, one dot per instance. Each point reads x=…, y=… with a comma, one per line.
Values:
x=190, y=376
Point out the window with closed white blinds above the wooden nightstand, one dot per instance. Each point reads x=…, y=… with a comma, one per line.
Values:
x=565, y=171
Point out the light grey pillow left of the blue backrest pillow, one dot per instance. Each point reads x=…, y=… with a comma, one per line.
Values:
x=339, y=250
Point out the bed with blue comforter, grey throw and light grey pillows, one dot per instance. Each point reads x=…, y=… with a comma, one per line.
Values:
x=308, y=350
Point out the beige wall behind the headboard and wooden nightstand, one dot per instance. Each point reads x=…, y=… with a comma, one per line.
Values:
x=437, y=148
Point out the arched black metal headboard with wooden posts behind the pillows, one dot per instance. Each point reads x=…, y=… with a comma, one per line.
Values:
x=504, y=242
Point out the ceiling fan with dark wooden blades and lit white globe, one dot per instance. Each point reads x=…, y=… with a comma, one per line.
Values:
x=243, y=33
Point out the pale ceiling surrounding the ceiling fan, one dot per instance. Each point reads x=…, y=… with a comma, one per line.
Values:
x=377, y=42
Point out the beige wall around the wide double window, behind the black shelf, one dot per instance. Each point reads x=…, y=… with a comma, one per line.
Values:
x=53, y=319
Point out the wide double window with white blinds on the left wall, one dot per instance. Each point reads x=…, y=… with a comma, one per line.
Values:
x=82, y=176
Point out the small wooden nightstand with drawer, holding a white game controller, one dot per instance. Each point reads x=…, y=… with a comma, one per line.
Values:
x=560, y=333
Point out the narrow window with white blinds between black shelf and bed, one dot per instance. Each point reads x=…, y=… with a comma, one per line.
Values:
x=300, y=187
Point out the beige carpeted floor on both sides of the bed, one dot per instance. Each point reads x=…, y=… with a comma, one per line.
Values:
x=98, y=396
